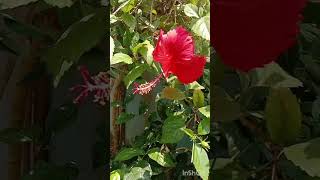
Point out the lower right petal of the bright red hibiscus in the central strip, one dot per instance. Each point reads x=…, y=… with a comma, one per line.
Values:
x=190, y=70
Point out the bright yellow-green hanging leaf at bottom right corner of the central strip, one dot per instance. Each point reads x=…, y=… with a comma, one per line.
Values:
x=200, y=161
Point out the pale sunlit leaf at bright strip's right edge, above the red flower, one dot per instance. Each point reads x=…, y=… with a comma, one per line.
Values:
x=202, y=27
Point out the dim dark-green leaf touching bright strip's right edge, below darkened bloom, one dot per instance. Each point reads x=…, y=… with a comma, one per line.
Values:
x=224, y=109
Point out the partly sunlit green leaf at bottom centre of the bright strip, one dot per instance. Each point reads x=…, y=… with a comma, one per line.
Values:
x=163, y=159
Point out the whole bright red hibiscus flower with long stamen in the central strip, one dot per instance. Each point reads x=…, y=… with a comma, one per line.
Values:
x=175, y=52
